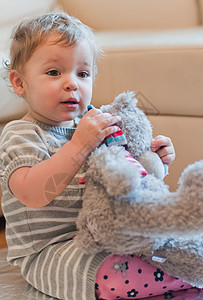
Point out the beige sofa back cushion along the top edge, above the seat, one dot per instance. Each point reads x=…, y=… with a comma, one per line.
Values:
x=134, y=14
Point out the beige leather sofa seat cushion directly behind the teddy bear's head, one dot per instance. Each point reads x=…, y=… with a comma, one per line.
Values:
x=163, y=67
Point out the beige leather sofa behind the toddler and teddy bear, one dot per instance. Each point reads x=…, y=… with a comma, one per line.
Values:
x=152, y=47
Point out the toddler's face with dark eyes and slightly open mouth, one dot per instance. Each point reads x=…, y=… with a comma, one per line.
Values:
x=57, y=81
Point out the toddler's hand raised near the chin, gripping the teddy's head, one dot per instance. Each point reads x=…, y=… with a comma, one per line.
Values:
x=93, y=128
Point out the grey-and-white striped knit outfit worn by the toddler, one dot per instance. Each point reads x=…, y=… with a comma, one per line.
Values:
x=30, y=231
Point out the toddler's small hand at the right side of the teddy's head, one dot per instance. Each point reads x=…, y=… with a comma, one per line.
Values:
x=163, y=146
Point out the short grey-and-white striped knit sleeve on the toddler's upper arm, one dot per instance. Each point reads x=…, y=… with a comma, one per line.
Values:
x=21, y=145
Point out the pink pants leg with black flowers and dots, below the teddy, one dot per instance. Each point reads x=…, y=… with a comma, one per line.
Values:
x=129, y=277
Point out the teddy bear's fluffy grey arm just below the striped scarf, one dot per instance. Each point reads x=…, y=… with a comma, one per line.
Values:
x=109, y=167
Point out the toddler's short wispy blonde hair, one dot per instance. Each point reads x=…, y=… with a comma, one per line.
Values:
x=32, y=32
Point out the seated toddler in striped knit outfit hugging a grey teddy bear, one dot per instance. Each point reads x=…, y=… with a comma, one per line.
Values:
x=53, y=66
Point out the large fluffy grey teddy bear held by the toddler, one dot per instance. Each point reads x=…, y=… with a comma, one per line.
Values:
x=127, y=212
